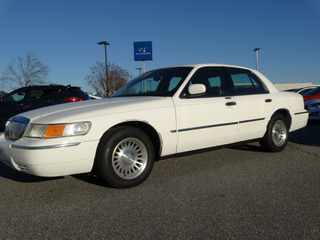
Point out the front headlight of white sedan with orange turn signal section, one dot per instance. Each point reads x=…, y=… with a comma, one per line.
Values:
x=57, y=130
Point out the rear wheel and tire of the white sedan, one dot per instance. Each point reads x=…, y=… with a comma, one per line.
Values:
x=277, y=134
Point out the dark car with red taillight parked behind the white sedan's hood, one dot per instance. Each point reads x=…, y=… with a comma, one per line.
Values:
x=29, y=98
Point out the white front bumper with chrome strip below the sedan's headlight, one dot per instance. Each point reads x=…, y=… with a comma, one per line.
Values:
x=48, y=158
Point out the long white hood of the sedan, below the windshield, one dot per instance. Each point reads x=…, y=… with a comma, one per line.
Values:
x=85, y=110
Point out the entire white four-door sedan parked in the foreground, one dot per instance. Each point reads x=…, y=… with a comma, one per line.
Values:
x=162, y=112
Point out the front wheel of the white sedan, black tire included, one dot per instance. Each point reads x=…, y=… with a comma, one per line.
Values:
x=125, y=157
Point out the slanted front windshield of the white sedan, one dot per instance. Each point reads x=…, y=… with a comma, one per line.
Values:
x=162, y=82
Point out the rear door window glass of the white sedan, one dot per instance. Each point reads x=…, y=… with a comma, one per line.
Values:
x=246, y=83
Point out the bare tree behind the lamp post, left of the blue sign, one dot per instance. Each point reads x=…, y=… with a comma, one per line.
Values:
x=117, y=77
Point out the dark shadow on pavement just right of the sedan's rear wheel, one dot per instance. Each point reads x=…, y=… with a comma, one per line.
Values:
x=309, y=135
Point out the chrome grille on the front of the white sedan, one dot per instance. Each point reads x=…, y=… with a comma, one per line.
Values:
x=15, y=127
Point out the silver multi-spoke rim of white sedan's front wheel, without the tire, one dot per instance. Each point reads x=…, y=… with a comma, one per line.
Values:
x=129, y=158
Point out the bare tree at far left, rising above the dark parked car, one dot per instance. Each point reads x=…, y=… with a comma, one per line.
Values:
x=25, y=71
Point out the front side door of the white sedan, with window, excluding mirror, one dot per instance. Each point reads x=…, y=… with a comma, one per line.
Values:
x=208, y=119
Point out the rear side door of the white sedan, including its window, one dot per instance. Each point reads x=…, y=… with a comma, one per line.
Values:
x=253, y=103
